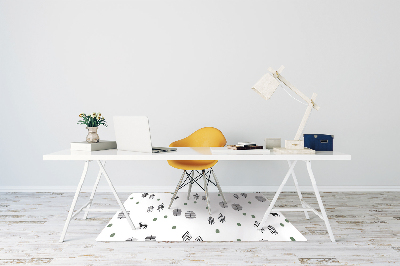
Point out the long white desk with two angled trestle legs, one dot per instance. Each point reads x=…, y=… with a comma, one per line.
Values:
x=194, y=154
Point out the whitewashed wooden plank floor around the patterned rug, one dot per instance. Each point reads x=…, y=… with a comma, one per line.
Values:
x=366, y=226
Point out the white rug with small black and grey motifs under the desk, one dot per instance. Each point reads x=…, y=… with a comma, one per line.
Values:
x=189, y=220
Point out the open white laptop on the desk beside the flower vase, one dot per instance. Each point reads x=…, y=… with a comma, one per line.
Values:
x=133, y=134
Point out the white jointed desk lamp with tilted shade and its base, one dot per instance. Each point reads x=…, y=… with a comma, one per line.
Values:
x=266, y=86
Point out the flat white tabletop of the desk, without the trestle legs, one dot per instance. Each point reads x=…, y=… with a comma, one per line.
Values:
x=186, y=153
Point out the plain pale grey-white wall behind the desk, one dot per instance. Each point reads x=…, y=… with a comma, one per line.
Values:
x=190, y=64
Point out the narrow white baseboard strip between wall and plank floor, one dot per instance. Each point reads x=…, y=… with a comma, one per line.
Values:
x=195, y=189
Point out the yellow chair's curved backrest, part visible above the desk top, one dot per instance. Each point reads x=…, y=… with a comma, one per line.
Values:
x=204, y=137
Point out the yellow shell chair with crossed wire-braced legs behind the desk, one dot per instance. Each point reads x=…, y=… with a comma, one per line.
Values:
x=204, y=137
